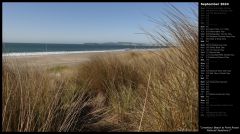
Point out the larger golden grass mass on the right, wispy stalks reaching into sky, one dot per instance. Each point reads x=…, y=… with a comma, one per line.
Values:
x=169, y=101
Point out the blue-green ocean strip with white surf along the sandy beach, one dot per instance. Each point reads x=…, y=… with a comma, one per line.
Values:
x=17, y=49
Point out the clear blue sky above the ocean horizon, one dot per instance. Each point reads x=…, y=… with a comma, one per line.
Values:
x=83, y=22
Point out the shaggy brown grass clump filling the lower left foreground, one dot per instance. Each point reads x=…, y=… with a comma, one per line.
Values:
x=34, y=101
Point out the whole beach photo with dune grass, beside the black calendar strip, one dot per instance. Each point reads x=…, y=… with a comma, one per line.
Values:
x=100, y=67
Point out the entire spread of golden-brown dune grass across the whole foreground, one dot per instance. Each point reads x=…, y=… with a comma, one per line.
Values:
x=135, y=91
